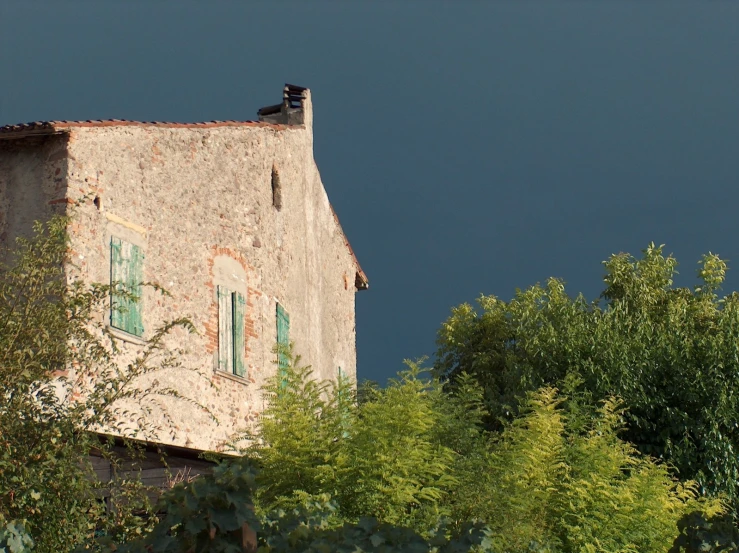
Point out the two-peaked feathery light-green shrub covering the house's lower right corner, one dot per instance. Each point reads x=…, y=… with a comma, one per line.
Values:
x=382, y=457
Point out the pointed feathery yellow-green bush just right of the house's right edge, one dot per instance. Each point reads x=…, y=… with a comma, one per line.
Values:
x=398, y=469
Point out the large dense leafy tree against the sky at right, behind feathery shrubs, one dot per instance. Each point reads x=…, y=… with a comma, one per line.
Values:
x=671, y=354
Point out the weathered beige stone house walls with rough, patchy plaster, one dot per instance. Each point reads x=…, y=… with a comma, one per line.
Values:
x=235, y=204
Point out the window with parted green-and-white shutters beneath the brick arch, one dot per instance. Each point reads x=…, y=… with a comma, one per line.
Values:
x=231, y=310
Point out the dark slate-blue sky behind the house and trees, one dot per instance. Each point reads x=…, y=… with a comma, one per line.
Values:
x=468, y=147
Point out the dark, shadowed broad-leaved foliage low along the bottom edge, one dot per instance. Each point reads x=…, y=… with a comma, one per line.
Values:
x=213, y=515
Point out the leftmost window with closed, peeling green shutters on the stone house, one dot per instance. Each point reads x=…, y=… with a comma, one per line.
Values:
x=126, y=277
